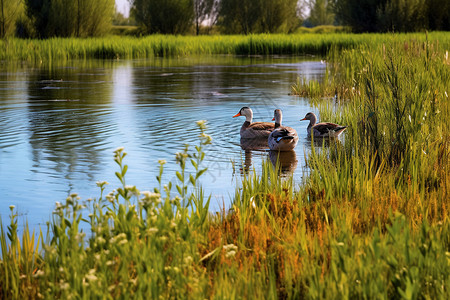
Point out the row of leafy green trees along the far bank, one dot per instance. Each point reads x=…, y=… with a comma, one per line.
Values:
x=84, y=18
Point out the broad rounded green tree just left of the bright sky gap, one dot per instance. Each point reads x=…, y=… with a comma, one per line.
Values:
x=67, y=18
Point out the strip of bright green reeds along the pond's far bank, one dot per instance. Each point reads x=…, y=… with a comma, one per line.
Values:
x=117, y=47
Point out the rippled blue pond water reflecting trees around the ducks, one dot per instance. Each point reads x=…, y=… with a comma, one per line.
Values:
x=59, y=125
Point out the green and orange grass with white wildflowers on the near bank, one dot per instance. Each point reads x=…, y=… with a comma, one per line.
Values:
x=370, y=218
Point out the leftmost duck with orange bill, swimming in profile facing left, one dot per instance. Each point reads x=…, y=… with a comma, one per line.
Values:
x=251, y=130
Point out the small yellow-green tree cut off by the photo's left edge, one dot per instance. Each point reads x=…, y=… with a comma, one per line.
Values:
x=10, y=12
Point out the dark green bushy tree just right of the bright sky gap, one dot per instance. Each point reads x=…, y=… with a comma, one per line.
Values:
x=164, y=16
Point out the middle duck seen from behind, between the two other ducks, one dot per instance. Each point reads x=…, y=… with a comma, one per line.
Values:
x=282, y=138
